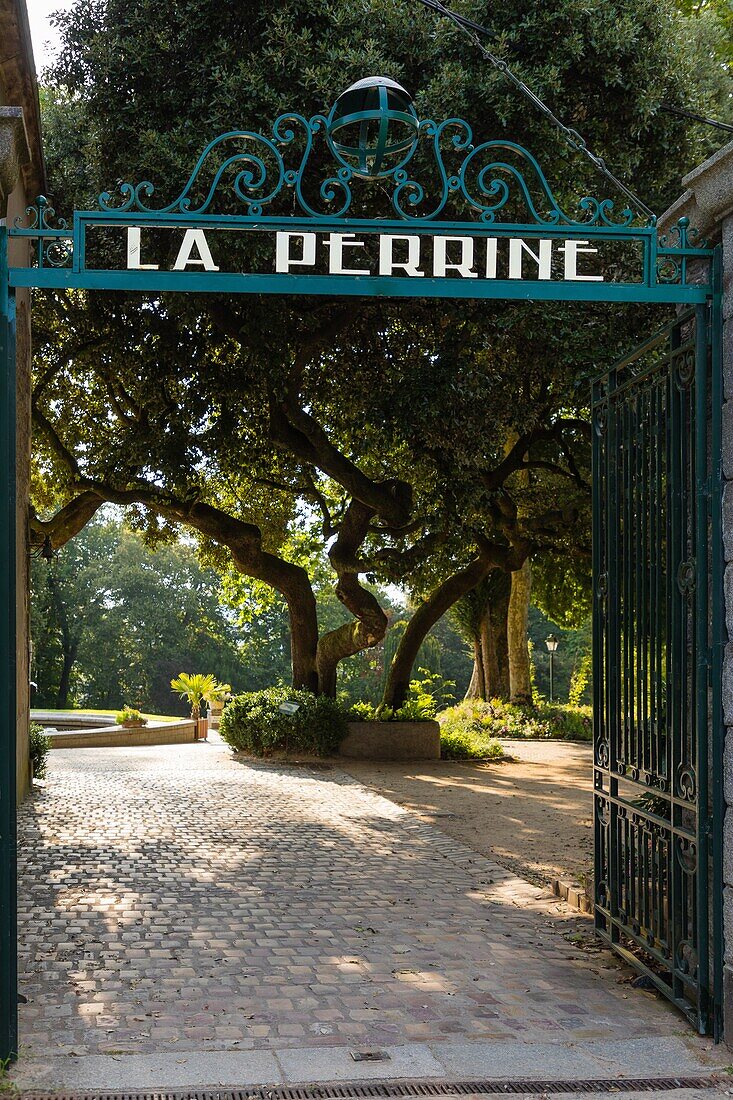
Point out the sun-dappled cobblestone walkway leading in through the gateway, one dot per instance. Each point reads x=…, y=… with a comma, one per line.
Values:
x=177, y=903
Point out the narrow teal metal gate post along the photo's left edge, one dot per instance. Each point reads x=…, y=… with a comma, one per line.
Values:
x=8, y=718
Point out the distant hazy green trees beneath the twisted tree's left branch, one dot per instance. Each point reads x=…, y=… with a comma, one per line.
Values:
x=115, y=621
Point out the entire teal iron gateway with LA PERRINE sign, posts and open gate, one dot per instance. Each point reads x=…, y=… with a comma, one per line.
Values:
x=464, y=221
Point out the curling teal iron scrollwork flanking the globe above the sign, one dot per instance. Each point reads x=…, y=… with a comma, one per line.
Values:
x=253, y=169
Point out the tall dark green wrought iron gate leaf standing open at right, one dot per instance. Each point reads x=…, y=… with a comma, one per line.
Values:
x=658, y=632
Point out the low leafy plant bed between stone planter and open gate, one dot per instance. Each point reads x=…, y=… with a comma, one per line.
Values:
x=497, y=719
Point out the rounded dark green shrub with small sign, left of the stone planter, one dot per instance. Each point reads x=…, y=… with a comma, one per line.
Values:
x=254, y=723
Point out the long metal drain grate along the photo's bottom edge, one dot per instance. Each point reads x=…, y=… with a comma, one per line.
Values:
x=376, y=1091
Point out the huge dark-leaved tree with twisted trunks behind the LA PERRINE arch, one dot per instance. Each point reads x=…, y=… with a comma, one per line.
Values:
x=389, y=421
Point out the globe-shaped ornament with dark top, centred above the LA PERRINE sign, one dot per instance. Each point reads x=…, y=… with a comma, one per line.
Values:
x=374, y=127
